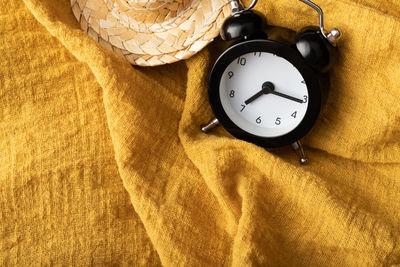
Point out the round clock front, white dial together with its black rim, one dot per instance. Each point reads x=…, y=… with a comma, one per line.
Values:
x=264, y=92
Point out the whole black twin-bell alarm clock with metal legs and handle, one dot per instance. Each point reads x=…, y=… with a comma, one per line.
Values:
x=267, y=87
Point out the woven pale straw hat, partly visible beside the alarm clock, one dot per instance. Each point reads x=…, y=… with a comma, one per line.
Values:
x=152, y=32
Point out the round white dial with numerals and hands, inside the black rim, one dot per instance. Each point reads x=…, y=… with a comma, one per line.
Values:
x=274, y=112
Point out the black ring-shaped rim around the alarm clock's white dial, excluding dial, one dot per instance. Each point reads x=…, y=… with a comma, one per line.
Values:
x=293, y=56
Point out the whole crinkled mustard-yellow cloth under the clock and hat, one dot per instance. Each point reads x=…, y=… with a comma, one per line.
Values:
x=104, y=164
